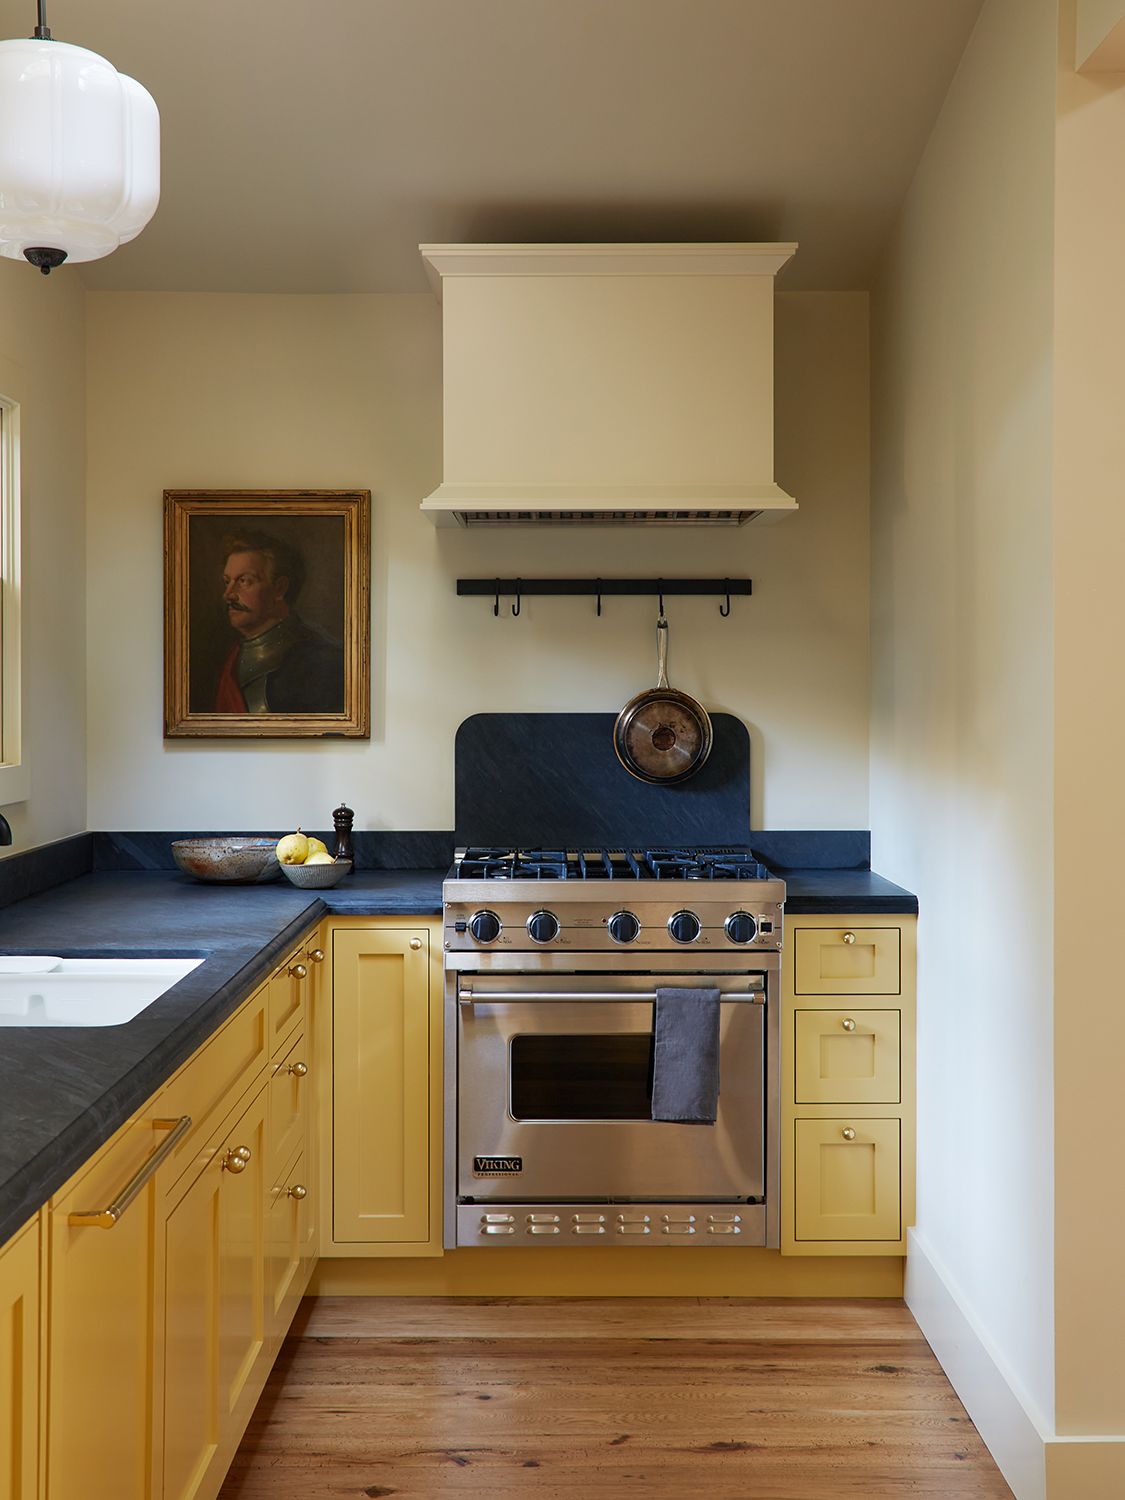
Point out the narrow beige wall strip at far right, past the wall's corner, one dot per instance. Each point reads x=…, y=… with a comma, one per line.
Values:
x=1090, y=803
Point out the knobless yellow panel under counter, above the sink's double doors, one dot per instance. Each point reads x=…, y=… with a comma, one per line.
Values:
x=215, y=1079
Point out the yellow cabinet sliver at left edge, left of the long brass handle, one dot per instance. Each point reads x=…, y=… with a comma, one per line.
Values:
x=20, y=1366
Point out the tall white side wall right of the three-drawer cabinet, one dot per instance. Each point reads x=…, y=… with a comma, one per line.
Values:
x=962, y=673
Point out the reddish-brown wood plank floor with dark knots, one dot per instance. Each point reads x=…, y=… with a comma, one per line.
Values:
x=713, y=1399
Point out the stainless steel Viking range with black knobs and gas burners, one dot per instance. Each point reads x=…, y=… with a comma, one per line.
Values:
x=553, y=967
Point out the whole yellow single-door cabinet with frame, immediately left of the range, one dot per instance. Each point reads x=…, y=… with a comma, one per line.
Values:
x=382, y=1105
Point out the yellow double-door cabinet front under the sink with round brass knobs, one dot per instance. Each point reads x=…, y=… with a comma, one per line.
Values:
x=215, y=1355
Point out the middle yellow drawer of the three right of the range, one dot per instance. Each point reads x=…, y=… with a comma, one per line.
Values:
x=847, y=1057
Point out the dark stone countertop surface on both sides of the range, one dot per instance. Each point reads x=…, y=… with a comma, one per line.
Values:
x=65, y=1091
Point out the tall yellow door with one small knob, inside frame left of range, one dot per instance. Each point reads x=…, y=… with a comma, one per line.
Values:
x=382, y=1087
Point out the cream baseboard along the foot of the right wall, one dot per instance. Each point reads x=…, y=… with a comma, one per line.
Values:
x=1039, y=1465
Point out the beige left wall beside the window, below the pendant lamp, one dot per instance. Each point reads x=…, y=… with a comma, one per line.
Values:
x=43, y=353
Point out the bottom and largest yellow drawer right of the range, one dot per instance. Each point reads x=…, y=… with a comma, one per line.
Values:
x=847, y=1189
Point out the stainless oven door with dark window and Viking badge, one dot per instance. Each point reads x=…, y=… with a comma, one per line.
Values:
x=554, y=1097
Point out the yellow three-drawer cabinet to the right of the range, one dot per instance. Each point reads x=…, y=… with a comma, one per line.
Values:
x=848, y=1195
